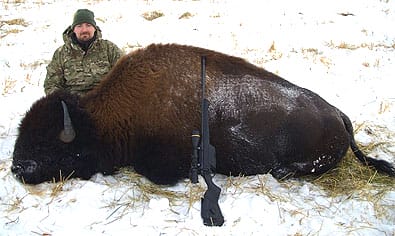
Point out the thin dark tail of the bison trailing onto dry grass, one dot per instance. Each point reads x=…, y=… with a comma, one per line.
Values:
x=380, y=165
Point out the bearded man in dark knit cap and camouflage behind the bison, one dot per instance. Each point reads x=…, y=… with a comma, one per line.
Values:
x=83, y=60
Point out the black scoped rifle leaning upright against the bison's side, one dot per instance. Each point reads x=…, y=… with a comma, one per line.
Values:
x=204, y=163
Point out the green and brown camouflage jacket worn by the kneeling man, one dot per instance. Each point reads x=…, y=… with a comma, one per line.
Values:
x=78, y=71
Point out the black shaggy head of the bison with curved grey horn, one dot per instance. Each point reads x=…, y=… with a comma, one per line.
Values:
x=56, y=139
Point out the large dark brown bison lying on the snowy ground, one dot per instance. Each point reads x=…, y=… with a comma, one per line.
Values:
x=143, y=112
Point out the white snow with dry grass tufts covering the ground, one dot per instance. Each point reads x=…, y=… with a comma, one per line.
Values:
x=343, y=50
